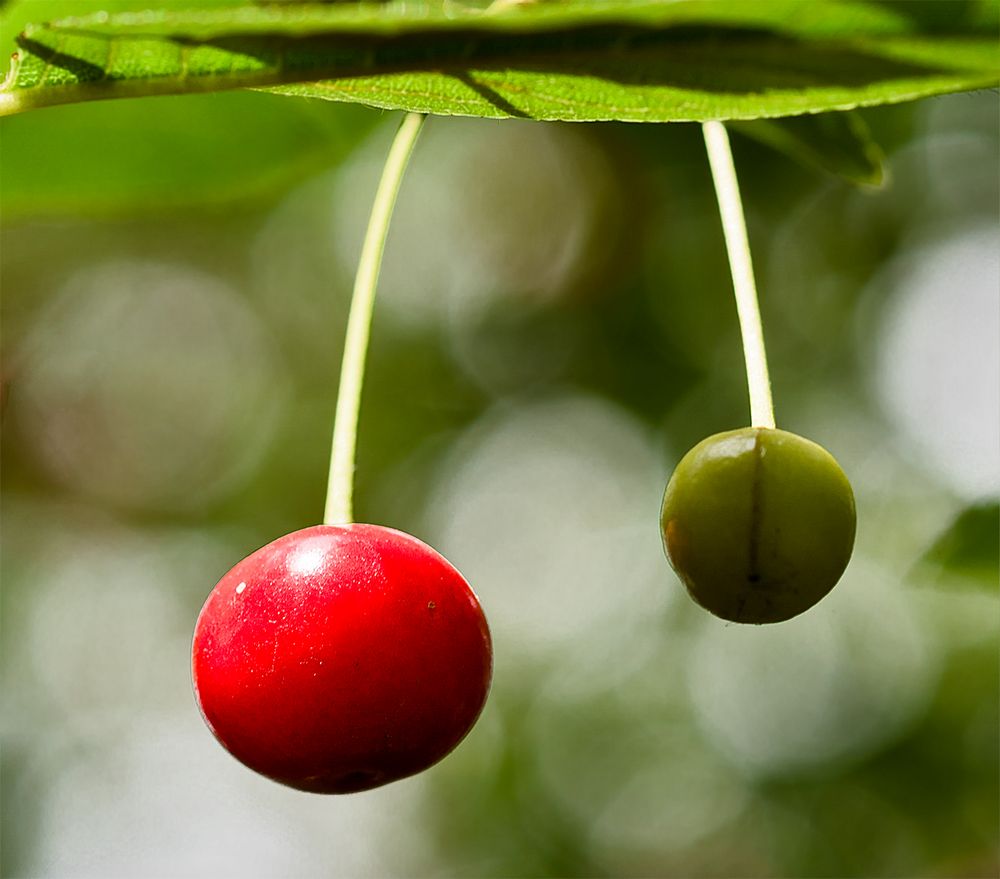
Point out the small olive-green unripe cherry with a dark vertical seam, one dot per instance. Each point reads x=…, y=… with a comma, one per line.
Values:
x=758, y=523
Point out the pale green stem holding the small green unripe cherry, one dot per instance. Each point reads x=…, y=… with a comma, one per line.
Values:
x=727, y=191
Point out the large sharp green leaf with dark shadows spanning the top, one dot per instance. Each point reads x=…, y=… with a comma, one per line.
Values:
x=578, y=60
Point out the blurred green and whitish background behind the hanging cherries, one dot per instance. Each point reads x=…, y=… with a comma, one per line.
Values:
x=554, y=329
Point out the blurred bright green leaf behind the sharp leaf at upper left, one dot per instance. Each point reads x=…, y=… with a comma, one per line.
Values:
x=134, y=157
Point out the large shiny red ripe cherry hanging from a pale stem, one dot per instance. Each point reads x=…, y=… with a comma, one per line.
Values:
x=341, y=658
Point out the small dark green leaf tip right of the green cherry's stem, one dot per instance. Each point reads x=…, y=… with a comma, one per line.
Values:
x=839, y=143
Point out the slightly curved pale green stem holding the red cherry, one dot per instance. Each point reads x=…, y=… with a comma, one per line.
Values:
x=340, y=487
